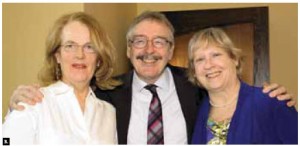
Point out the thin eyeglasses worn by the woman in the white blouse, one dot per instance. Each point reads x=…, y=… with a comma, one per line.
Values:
x=73, y=47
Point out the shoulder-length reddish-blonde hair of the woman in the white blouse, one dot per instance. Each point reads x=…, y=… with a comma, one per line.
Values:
x=105, y=51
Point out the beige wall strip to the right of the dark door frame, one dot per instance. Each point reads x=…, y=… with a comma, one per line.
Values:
x=283, y=23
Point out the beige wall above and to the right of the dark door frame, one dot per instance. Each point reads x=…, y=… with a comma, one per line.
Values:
x=283, y=28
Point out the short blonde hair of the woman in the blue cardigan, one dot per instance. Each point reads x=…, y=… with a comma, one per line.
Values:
x=205, y=38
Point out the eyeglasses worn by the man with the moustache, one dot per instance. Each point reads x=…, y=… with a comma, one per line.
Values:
x=142, y=41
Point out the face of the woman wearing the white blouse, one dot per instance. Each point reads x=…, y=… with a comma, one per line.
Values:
x=77, y=66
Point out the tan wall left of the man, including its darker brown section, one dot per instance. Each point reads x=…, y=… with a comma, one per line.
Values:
x=25, y=27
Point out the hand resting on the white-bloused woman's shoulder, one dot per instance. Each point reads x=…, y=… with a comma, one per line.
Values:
x=29, y=94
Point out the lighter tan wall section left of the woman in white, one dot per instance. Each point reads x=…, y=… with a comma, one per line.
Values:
x=25, y=27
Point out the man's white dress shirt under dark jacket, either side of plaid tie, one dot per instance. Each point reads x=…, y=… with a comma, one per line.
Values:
x=173, y=120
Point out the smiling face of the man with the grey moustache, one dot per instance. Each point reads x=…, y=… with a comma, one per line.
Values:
x=149, y=62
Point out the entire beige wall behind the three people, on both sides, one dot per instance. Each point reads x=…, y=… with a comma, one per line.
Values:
x=25, y=27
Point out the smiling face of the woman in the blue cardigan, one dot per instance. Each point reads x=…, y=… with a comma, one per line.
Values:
x=214, y=69
